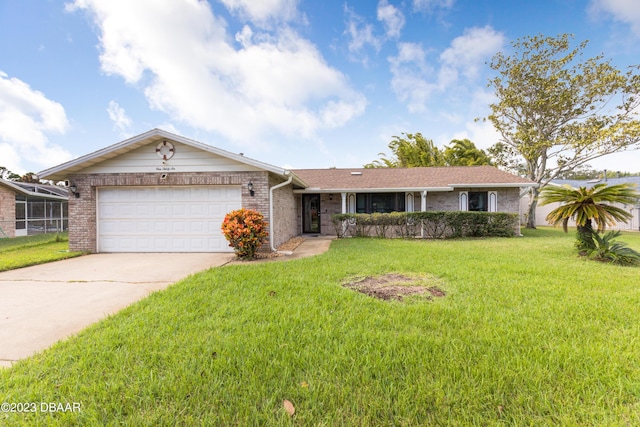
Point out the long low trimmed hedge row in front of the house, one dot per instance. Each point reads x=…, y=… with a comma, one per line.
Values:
x=432, y=224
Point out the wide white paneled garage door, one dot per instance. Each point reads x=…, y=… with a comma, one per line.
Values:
x=164, y=219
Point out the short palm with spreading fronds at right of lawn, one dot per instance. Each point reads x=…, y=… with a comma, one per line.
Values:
x=588, y=205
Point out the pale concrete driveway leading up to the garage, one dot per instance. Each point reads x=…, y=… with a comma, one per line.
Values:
x=43, y=304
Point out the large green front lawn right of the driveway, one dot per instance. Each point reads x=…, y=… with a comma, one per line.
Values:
x=528, y=334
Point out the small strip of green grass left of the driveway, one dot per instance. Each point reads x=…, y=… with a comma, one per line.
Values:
x=30, y=250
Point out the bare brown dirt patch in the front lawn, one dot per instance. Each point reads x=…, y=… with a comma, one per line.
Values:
x=395, y=286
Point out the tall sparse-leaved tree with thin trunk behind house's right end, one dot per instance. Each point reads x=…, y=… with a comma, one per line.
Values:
x=556, y=111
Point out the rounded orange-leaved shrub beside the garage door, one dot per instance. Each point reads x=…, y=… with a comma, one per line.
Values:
x=245, y=230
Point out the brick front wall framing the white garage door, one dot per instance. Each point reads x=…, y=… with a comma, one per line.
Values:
x=82, y=210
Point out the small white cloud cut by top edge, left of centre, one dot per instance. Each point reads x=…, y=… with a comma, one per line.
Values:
x=263, y=11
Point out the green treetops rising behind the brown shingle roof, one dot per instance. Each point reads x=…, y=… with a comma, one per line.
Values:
x=414, y=150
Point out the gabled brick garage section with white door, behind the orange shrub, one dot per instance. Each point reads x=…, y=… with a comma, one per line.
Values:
x=160, y=192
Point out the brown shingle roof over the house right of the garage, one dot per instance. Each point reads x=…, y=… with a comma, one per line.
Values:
x=424, y=178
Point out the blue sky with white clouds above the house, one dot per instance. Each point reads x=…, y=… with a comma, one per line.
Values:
x=294, y=83
